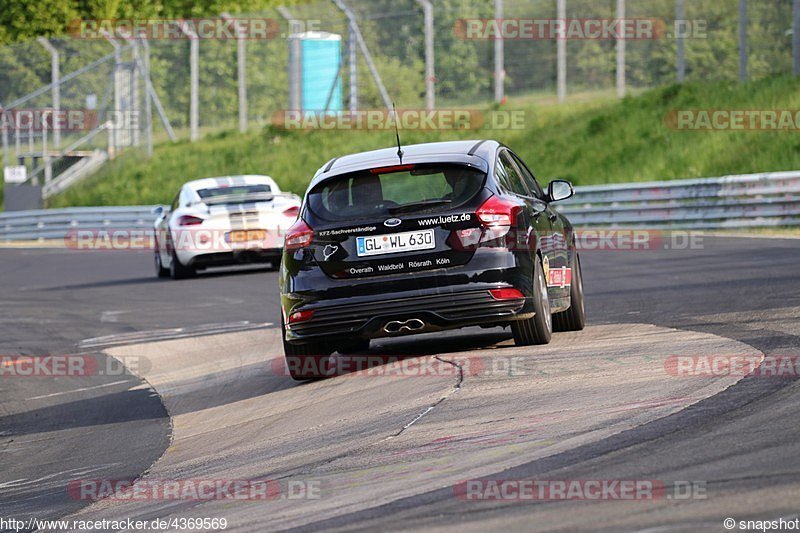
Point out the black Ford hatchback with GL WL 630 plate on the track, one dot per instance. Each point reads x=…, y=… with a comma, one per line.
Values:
x=449, y=235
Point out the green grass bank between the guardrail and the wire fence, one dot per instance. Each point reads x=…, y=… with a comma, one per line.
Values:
x=588, y=140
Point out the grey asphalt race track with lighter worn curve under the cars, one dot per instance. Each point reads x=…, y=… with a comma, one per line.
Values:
x=204, y=396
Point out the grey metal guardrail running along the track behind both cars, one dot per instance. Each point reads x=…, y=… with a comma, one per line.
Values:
x=755, y=200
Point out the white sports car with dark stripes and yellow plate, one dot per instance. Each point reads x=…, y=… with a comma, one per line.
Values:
x=221, y=222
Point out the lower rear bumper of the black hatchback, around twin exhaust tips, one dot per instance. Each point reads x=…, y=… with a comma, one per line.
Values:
x=366, y=317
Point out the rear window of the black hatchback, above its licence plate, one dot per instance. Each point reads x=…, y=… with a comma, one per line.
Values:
x=387, y=192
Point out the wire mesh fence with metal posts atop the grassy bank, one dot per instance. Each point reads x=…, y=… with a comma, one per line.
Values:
x=382, y=50
